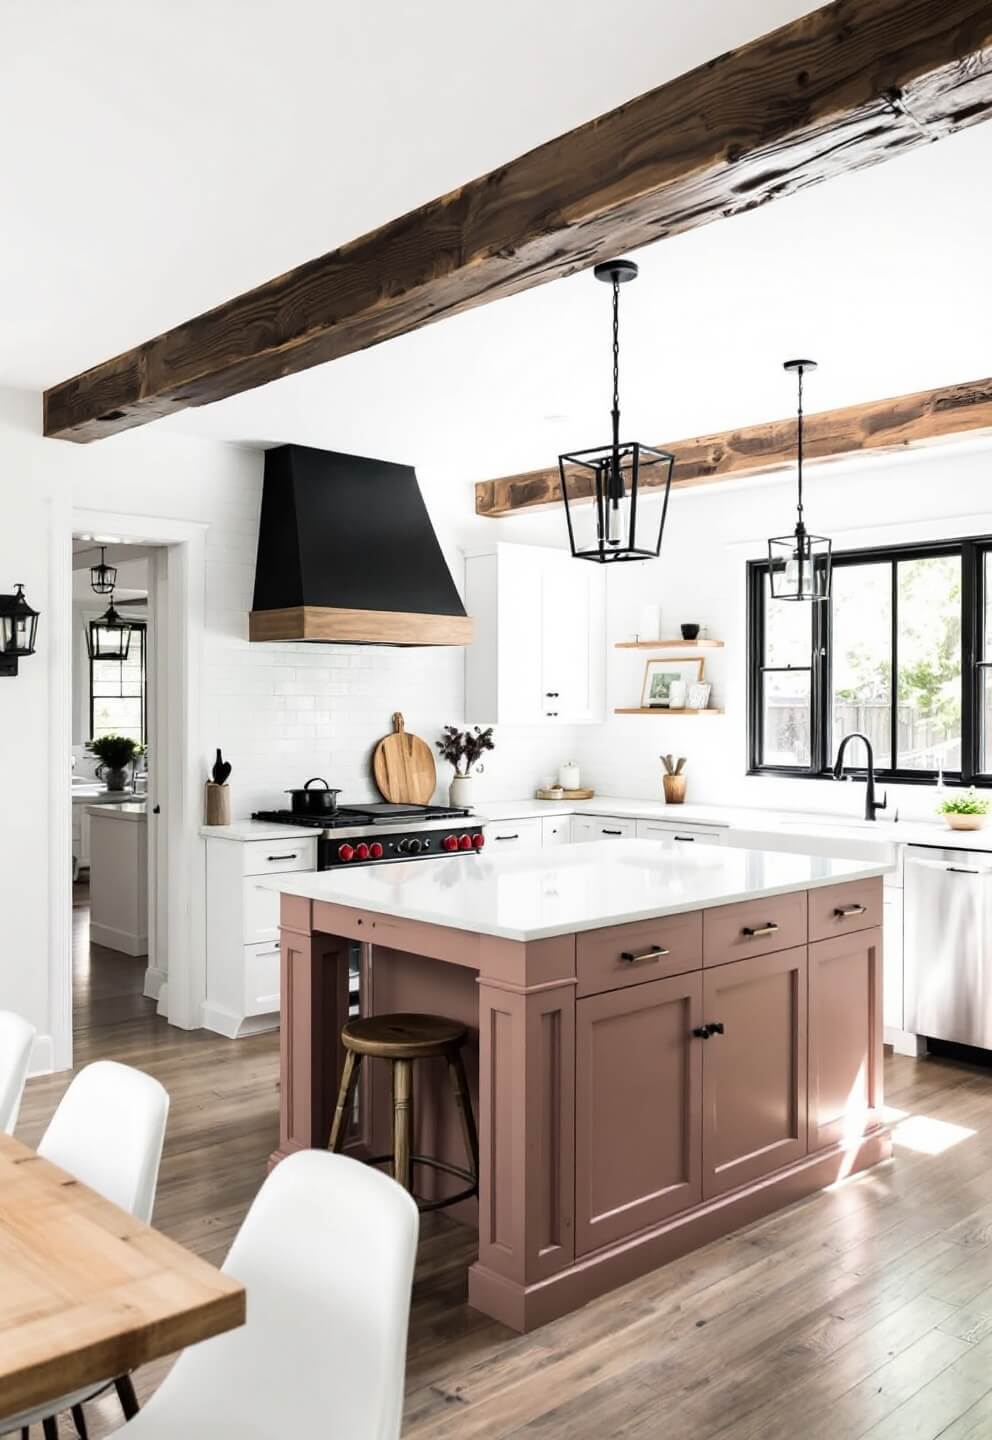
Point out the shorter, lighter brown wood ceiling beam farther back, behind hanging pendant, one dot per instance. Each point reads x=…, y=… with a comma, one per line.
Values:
x=878, y=427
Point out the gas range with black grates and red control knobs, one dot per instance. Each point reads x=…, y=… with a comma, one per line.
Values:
x=379, y=833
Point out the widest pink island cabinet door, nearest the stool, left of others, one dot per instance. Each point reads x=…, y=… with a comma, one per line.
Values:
x=639, y=1108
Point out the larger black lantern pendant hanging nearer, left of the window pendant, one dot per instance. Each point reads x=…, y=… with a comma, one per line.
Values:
x=616, y=476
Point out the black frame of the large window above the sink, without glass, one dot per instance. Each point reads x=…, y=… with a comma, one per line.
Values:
x=974, y=649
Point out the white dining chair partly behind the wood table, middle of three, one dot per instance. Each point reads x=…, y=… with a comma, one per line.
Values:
x=109, y=1133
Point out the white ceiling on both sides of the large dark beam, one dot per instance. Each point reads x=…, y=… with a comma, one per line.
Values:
x=161, y=168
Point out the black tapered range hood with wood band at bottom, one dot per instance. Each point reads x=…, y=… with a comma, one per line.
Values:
x=348, y=554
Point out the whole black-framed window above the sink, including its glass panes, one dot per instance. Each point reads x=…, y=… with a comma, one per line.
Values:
x=902, y=652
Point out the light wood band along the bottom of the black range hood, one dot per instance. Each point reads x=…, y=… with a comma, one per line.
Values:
x=316, y=623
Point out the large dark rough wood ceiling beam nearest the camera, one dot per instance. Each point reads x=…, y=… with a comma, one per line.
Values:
x=839, y=90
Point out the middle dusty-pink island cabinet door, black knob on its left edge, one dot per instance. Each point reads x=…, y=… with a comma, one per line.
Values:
x=754, y=1069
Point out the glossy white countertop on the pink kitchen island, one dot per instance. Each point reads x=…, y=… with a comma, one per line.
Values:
x=575, y=888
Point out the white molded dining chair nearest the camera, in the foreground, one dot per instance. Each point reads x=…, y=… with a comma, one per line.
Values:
x=326, y=1255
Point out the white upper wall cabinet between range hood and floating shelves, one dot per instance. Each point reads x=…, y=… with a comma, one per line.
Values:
x=539, y=653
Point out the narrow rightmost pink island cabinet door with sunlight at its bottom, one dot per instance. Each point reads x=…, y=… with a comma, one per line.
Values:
x=846, y=1058
